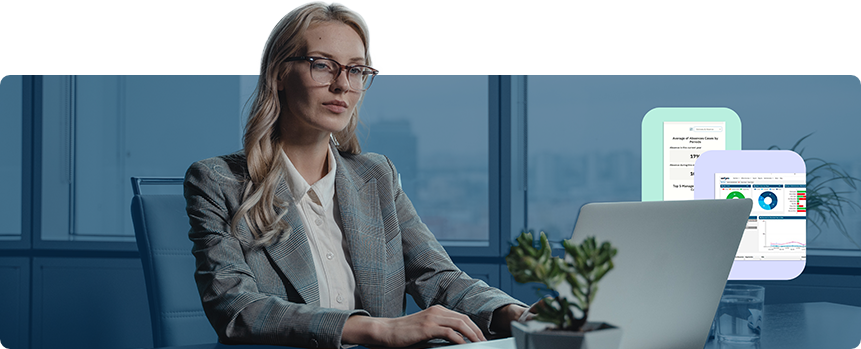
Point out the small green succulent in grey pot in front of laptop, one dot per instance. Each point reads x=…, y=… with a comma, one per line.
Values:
x=555, y=324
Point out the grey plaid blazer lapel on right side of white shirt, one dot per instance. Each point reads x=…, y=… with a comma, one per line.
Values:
x=359, y=204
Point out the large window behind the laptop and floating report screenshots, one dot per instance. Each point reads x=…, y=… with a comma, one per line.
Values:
x=584, y=135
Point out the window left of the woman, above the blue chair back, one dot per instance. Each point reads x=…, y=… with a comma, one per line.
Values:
x=100, y=130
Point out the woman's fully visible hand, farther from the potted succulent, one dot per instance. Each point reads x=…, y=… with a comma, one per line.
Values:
x=433, y=322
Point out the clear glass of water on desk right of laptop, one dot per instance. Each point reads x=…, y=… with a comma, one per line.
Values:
x=739, y=316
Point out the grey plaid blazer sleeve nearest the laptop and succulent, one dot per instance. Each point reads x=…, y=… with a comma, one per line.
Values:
x=432, y=278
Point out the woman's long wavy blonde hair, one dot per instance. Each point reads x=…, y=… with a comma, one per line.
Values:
x=261, y=143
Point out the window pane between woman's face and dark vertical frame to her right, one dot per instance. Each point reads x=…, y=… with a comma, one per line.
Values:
x=434, y=128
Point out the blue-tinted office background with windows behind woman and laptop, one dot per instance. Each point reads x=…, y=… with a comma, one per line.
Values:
x=482, y=157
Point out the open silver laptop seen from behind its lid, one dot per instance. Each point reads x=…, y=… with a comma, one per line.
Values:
x=670, y=270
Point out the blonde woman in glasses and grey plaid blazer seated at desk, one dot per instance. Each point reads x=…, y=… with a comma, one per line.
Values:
x=302, y=240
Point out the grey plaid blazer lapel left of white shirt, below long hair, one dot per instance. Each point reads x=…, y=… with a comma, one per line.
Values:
x=293, y=253
